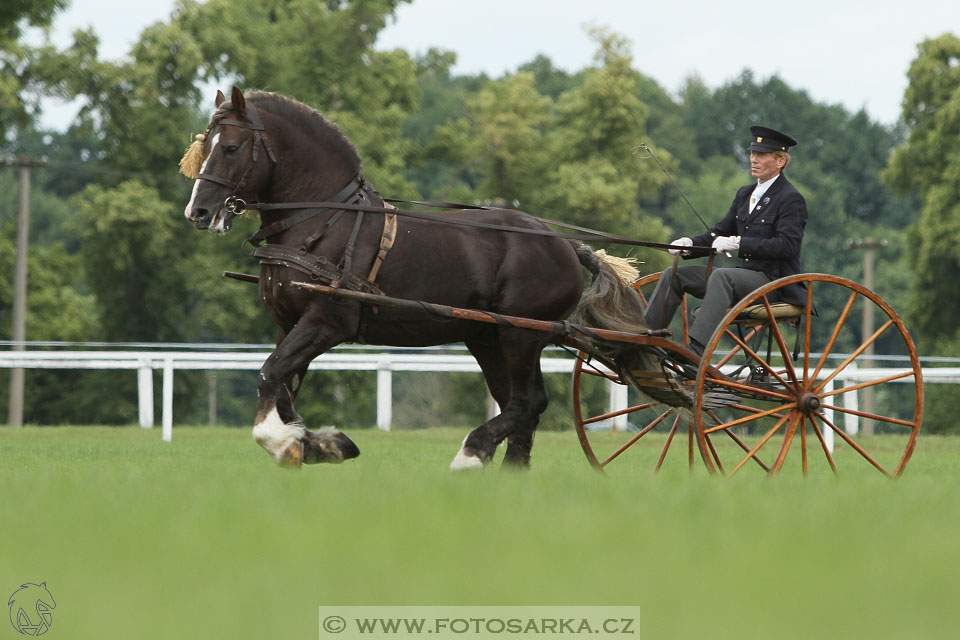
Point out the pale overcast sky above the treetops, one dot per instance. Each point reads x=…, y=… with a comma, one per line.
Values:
x=850, y=52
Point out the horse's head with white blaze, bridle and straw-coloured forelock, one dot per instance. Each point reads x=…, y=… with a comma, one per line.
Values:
x=232, y=162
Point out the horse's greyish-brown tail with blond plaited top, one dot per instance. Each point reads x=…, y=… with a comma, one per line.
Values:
x=608, y=302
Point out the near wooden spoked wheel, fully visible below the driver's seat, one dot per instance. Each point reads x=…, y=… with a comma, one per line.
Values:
x=769, y=393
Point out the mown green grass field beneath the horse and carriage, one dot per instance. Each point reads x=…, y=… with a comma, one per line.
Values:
x=205, y=538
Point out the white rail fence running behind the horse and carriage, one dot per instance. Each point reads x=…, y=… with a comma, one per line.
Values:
x=383, y=362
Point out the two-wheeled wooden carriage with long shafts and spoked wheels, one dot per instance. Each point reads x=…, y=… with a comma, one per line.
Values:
x=769, y=382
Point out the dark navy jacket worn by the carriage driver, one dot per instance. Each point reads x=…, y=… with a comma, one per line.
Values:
x=770, y=237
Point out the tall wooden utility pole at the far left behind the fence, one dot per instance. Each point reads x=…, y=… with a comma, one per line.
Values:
x=19, y=332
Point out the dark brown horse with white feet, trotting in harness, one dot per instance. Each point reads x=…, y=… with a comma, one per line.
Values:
x=282, y=157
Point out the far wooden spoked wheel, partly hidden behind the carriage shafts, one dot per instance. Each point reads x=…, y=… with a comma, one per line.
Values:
x=650, y=428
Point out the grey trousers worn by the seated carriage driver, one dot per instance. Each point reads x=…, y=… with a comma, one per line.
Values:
x=728, y=285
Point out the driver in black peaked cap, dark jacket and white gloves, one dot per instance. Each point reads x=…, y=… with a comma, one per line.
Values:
x=764, y=226
